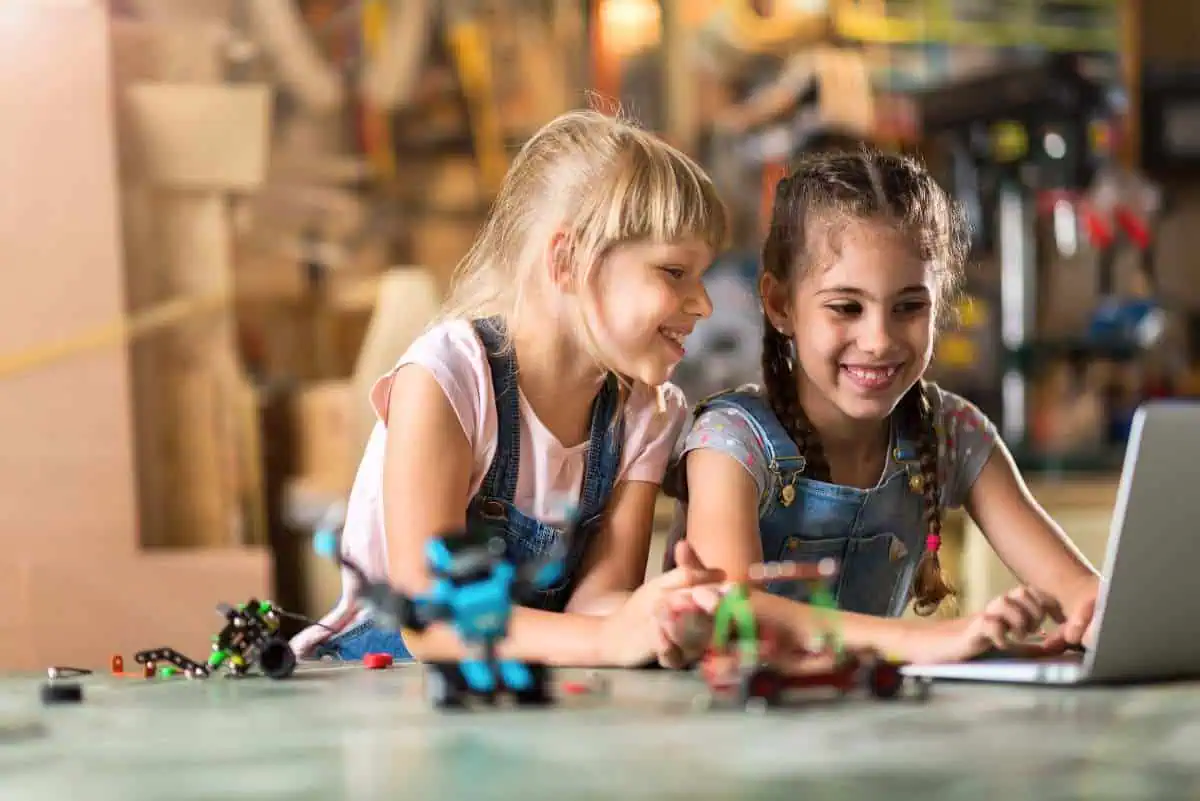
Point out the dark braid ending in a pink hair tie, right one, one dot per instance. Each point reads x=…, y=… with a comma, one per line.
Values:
x=929, y=585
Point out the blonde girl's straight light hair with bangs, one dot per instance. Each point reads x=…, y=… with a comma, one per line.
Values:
x=603, y=182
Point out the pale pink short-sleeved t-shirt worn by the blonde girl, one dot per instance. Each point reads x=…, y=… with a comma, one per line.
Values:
x=550, y=475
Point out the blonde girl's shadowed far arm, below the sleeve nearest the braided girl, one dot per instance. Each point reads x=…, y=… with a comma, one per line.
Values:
x=616, y=562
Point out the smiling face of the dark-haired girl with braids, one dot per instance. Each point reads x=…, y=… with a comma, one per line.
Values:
x=862, y=322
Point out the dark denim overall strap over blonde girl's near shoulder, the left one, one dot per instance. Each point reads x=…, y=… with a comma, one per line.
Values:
x=501, y=481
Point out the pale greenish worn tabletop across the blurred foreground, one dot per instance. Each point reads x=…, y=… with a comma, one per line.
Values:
x=343, y=732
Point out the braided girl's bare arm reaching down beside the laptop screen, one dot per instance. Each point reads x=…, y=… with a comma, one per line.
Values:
x=1025, y=538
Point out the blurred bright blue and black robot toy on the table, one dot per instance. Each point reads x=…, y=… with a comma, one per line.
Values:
x=475, y=588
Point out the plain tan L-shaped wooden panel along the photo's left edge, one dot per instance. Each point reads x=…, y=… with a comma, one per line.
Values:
x=76, y=585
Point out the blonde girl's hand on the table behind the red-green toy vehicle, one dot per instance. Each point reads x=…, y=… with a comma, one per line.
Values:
x=643, y=629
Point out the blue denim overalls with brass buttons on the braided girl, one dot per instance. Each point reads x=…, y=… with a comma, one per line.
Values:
x=877, y=535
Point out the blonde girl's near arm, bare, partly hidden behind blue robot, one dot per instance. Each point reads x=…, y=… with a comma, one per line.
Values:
x=427, y=484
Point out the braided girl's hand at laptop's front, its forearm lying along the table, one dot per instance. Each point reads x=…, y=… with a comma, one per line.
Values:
x=1004, y=624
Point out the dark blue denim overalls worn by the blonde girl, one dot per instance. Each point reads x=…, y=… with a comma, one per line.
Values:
x=493, y=508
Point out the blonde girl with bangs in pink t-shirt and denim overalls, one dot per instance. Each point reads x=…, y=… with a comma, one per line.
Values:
x=543, y=389
